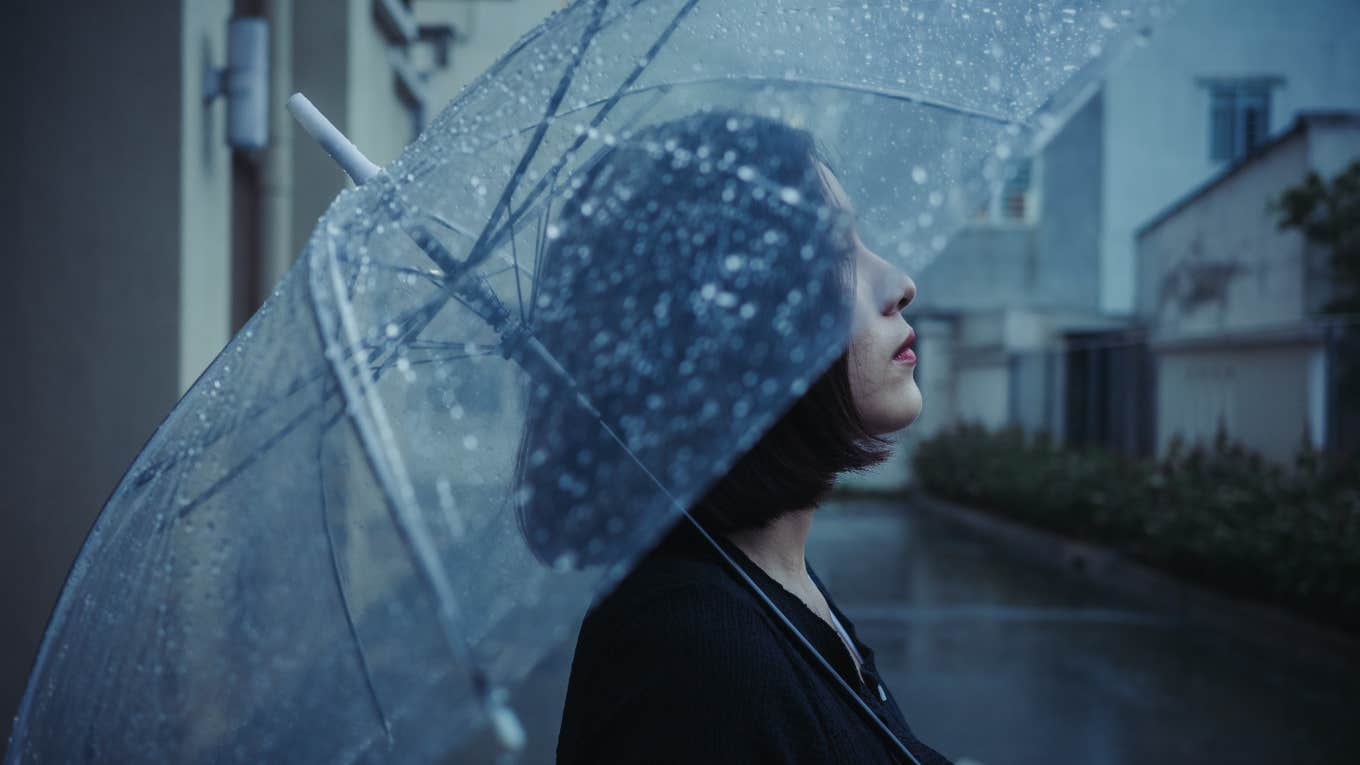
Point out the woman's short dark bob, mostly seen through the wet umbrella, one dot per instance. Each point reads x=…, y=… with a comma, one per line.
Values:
x=600, y=233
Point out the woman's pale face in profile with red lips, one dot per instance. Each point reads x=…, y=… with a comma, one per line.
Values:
x=882, y=363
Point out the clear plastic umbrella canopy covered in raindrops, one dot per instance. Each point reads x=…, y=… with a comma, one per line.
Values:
x=508, y=363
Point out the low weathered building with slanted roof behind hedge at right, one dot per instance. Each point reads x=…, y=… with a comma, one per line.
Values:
x=1234, y=306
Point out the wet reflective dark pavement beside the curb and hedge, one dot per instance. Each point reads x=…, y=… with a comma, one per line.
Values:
x=998, y=661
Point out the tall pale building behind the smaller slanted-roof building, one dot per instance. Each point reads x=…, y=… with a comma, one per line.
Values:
x=1029, y=315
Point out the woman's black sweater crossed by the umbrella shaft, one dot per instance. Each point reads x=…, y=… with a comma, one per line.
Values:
x=682, y=664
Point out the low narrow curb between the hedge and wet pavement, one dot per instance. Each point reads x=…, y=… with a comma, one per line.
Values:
x=1191, y=605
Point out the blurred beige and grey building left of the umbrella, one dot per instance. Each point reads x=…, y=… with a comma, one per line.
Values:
x=139, y=240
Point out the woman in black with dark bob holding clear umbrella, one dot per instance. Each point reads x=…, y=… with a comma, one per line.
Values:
x=681, y=662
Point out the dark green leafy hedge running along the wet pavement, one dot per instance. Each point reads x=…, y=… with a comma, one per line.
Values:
x=1221, y=517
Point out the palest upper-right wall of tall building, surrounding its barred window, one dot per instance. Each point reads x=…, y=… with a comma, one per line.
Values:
x=1157, y=140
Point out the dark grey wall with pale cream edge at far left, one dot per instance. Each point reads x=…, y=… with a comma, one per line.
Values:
x=109, y=293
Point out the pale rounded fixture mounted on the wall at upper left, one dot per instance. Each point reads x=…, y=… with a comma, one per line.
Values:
x=244, y=82
